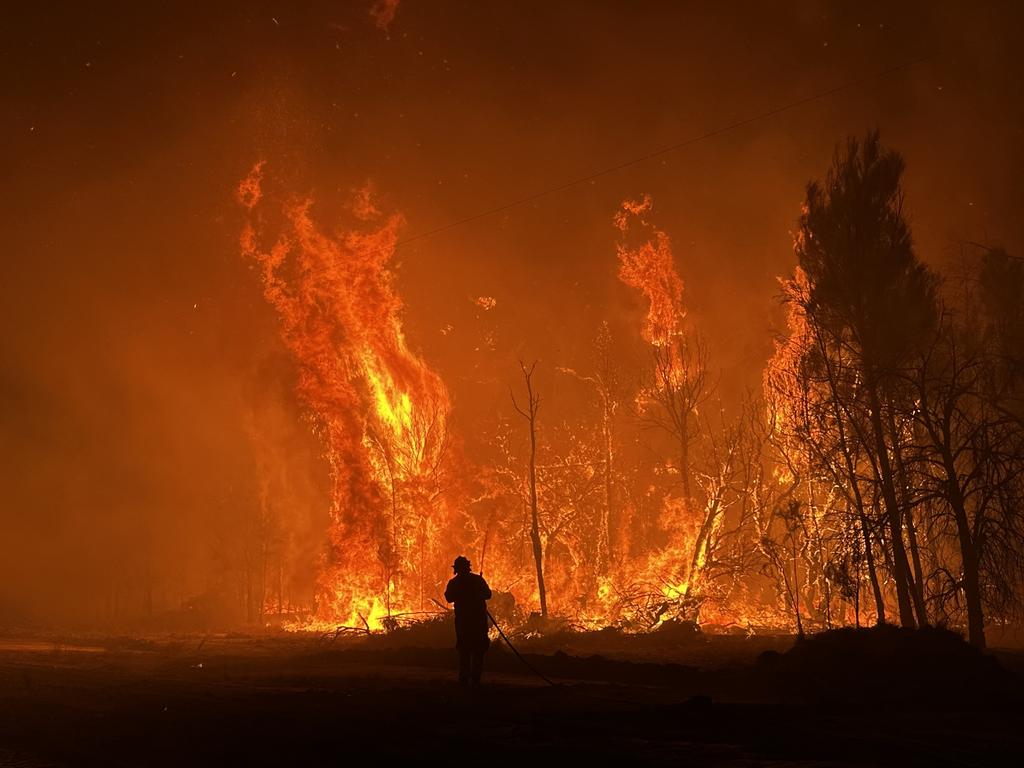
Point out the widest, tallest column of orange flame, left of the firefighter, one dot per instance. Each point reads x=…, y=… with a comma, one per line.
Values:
x=381, y=411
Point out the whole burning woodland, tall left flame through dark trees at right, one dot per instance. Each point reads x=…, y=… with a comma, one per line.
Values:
x=648, y=503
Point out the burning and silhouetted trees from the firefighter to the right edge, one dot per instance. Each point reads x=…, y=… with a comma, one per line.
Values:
x=877, y=479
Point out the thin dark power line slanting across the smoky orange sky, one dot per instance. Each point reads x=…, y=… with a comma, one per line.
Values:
x=666, y=150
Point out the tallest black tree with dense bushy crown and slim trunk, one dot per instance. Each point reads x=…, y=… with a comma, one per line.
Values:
x=869, y=290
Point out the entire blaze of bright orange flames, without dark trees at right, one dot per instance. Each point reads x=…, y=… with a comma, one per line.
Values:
x=657, y=508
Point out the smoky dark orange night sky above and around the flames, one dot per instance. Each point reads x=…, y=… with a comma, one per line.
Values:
x=136, y=347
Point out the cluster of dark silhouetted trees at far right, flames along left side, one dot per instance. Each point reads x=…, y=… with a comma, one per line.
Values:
x=879, y=396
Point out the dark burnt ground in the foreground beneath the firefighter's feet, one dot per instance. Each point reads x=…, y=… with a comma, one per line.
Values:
x=698, y=702
